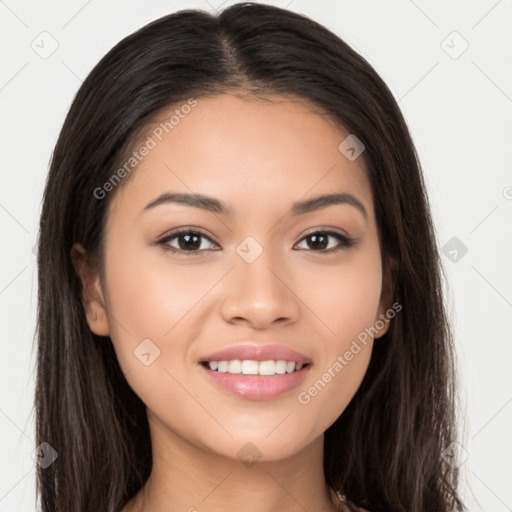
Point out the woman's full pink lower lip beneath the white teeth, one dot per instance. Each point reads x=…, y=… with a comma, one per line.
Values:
x=257, y=387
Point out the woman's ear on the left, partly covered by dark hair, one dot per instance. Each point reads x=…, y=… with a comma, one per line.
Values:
x=91, y=294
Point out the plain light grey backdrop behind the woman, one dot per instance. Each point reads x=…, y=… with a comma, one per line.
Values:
x=458, y=107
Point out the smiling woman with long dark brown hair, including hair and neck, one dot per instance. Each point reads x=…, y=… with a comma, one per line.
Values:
x=239, y=288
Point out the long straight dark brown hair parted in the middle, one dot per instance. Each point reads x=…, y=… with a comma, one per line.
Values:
x=384, y=452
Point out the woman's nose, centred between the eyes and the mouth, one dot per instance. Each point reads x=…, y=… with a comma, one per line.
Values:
x=260, y=294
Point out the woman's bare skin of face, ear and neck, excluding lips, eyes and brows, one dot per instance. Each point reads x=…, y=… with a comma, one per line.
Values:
x=258, y=157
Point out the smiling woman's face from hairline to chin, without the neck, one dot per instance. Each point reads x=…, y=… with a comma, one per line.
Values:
x=260, y=273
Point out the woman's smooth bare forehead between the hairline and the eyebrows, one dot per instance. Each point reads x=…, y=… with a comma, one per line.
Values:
x=247, y=152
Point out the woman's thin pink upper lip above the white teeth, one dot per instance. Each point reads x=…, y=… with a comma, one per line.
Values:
x=258, y=353
